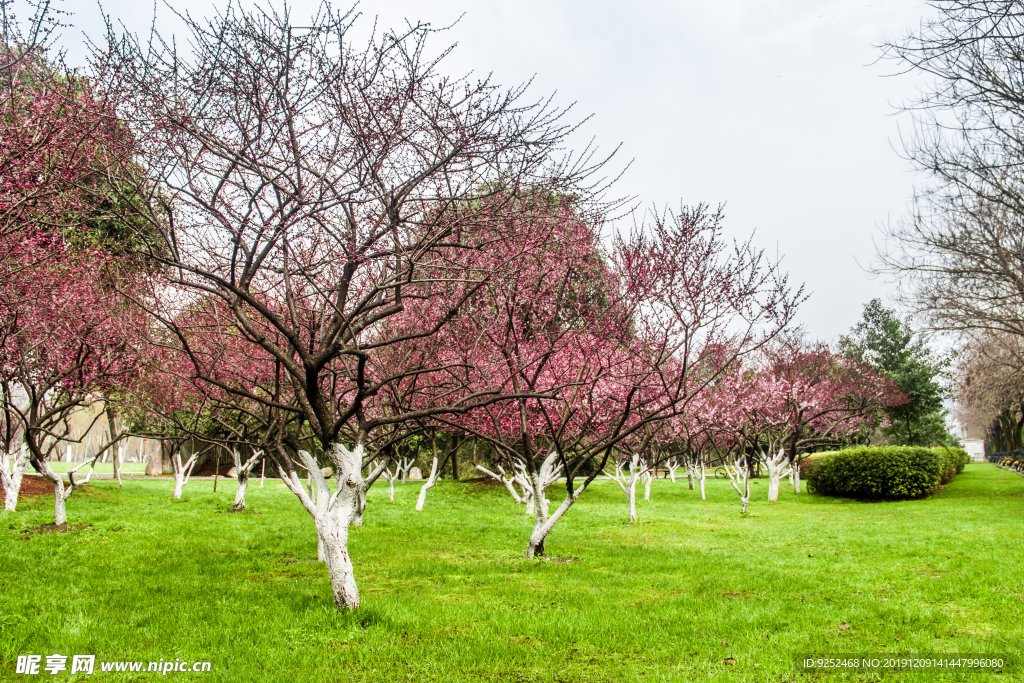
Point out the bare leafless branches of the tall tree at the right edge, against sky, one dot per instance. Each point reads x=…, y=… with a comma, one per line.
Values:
x=960, y=258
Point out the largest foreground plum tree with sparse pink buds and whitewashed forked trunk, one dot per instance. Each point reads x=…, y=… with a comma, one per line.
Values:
x=319, y=190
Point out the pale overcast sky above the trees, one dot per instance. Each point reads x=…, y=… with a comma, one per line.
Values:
x=777, y=108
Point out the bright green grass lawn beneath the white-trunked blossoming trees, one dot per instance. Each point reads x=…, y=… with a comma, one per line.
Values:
x=448, y=597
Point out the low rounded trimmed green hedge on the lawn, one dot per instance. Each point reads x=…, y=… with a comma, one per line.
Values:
x=883, y=473
